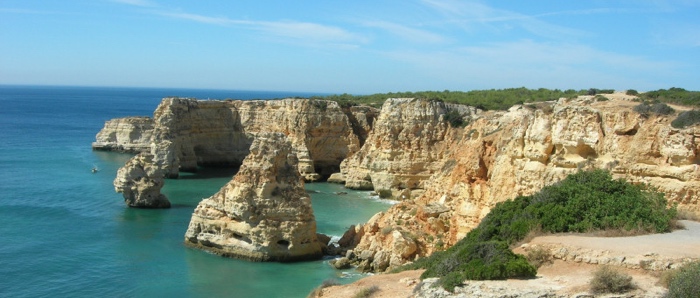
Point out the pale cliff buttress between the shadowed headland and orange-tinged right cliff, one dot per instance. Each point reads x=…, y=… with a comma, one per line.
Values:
x=406, y=146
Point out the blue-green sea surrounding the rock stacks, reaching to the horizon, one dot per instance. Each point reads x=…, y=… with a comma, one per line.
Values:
x=65, y=232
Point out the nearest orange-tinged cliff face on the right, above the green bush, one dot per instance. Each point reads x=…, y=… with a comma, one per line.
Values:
x=501, y=155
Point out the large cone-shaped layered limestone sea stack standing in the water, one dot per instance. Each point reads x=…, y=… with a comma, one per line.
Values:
x=263, y=213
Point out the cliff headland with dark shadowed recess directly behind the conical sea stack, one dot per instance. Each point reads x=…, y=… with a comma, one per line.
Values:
x=190, y=133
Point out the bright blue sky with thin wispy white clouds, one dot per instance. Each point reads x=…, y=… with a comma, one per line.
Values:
x=352, y=46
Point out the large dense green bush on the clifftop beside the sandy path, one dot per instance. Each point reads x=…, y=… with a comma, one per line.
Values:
x=583, y=202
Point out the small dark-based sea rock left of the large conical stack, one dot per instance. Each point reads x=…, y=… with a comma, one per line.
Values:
x=140, y=182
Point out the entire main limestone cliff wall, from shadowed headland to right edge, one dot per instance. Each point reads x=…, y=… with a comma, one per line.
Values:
x=448, y=177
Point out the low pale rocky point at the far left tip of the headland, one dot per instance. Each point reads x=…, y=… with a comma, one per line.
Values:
x=129, y=134
